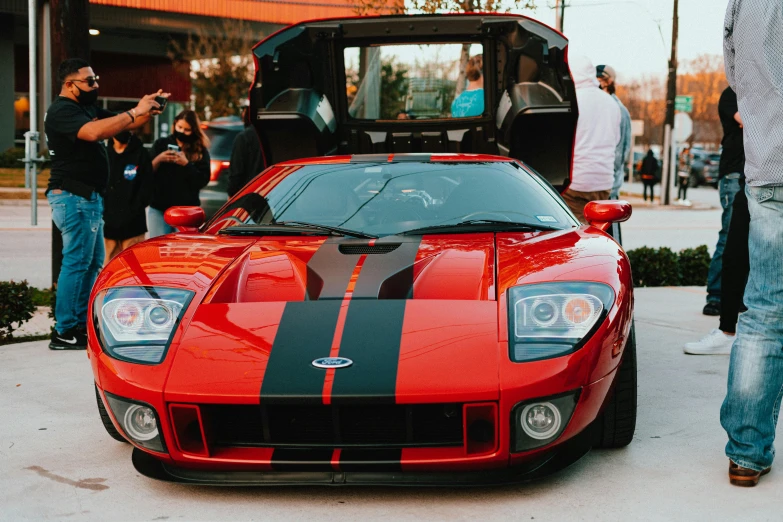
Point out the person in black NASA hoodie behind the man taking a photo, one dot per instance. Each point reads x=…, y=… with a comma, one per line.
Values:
x=127, y=194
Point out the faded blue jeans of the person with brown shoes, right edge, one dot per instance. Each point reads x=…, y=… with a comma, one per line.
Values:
x=750, y=411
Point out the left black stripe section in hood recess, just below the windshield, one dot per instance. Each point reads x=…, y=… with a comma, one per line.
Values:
x=329, y=272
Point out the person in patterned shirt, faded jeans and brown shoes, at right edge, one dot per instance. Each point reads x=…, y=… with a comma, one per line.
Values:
x=752, y=46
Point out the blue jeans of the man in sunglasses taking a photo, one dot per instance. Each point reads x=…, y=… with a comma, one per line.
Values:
x=81, y=224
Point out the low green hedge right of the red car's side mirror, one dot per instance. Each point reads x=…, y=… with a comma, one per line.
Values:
x=663, y=267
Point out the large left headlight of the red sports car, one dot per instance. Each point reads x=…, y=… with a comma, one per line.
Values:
x=135, y=323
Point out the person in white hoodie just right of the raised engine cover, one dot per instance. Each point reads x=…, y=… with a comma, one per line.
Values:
x=597, y=136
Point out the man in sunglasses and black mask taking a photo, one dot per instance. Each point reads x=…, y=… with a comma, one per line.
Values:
x=75, y=128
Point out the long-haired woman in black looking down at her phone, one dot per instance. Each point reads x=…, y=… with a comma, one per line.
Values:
x=181, y=165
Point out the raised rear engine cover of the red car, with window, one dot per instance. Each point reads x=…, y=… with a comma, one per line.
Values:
x=392, y=84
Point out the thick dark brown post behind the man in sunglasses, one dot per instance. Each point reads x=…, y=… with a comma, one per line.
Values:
x=70, y=38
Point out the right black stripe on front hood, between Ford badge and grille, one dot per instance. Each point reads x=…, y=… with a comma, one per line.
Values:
x=371, y=339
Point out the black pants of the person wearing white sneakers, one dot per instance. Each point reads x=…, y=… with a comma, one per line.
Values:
x=736, y=263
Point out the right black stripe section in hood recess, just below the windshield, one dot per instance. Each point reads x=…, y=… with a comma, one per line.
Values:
x=388, y=276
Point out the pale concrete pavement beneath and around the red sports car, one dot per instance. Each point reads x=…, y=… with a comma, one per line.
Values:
x=58, y=464
